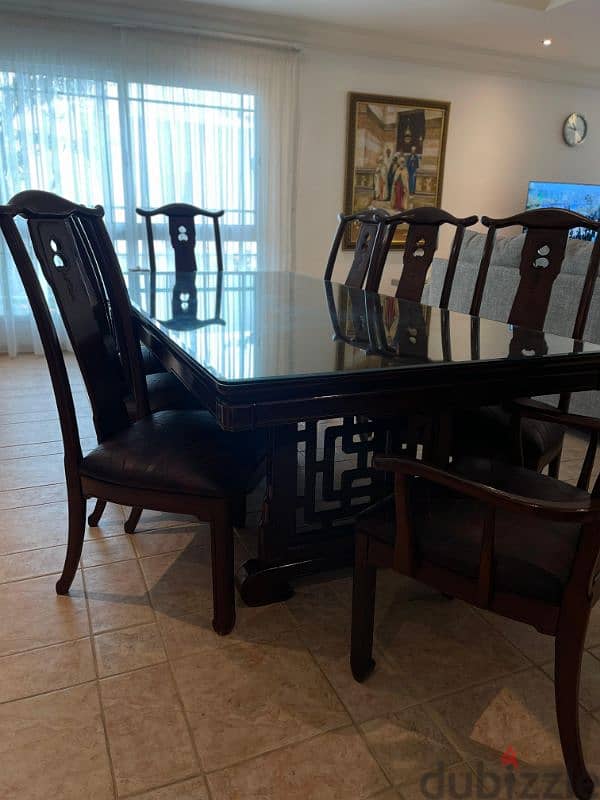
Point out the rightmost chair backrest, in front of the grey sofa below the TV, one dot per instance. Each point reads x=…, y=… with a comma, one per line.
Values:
x=542, y=257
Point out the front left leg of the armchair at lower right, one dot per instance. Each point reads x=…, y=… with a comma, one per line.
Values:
x=363, y=612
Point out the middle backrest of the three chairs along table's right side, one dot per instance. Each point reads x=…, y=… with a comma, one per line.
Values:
x=420, y=247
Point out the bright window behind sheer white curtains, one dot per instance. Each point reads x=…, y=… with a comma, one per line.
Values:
x=135, y=144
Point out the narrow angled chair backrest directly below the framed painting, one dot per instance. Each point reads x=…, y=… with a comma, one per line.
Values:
x=369, y=237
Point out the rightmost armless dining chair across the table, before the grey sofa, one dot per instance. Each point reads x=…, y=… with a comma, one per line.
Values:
x=488, y=429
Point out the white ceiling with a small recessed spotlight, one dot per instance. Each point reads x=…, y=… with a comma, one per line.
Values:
x=507, y=27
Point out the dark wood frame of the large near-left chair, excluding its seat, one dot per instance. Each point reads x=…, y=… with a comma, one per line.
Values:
x=58, y=231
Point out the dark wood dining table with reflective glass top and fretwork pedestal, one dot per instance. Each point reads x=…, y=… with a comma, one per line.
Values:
x=335, y=374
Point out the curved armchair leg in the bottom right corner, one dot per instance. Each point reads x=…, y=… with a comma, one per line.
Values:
x=569, y=646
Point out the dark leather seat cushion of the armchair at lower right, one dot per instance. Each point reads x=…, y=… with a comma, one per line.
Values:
x=533, y=557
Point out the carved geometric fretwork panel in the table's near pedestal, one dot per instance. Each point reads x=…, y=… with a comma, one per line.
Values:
x=335, y=476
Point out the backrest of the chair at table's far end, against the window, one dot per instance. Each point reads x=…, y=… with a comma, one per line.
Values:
x=182, y=232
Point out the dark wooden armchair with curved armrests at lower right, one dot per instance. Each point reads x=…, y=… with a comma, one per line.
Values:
x=503, y=538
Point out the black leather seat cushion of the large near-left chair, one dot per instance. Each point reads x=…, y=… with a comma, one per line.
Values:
x=179, y=451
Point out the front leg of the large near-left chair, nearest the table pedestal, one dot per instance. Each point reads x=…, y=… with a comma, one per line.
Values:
x=223, y=570
